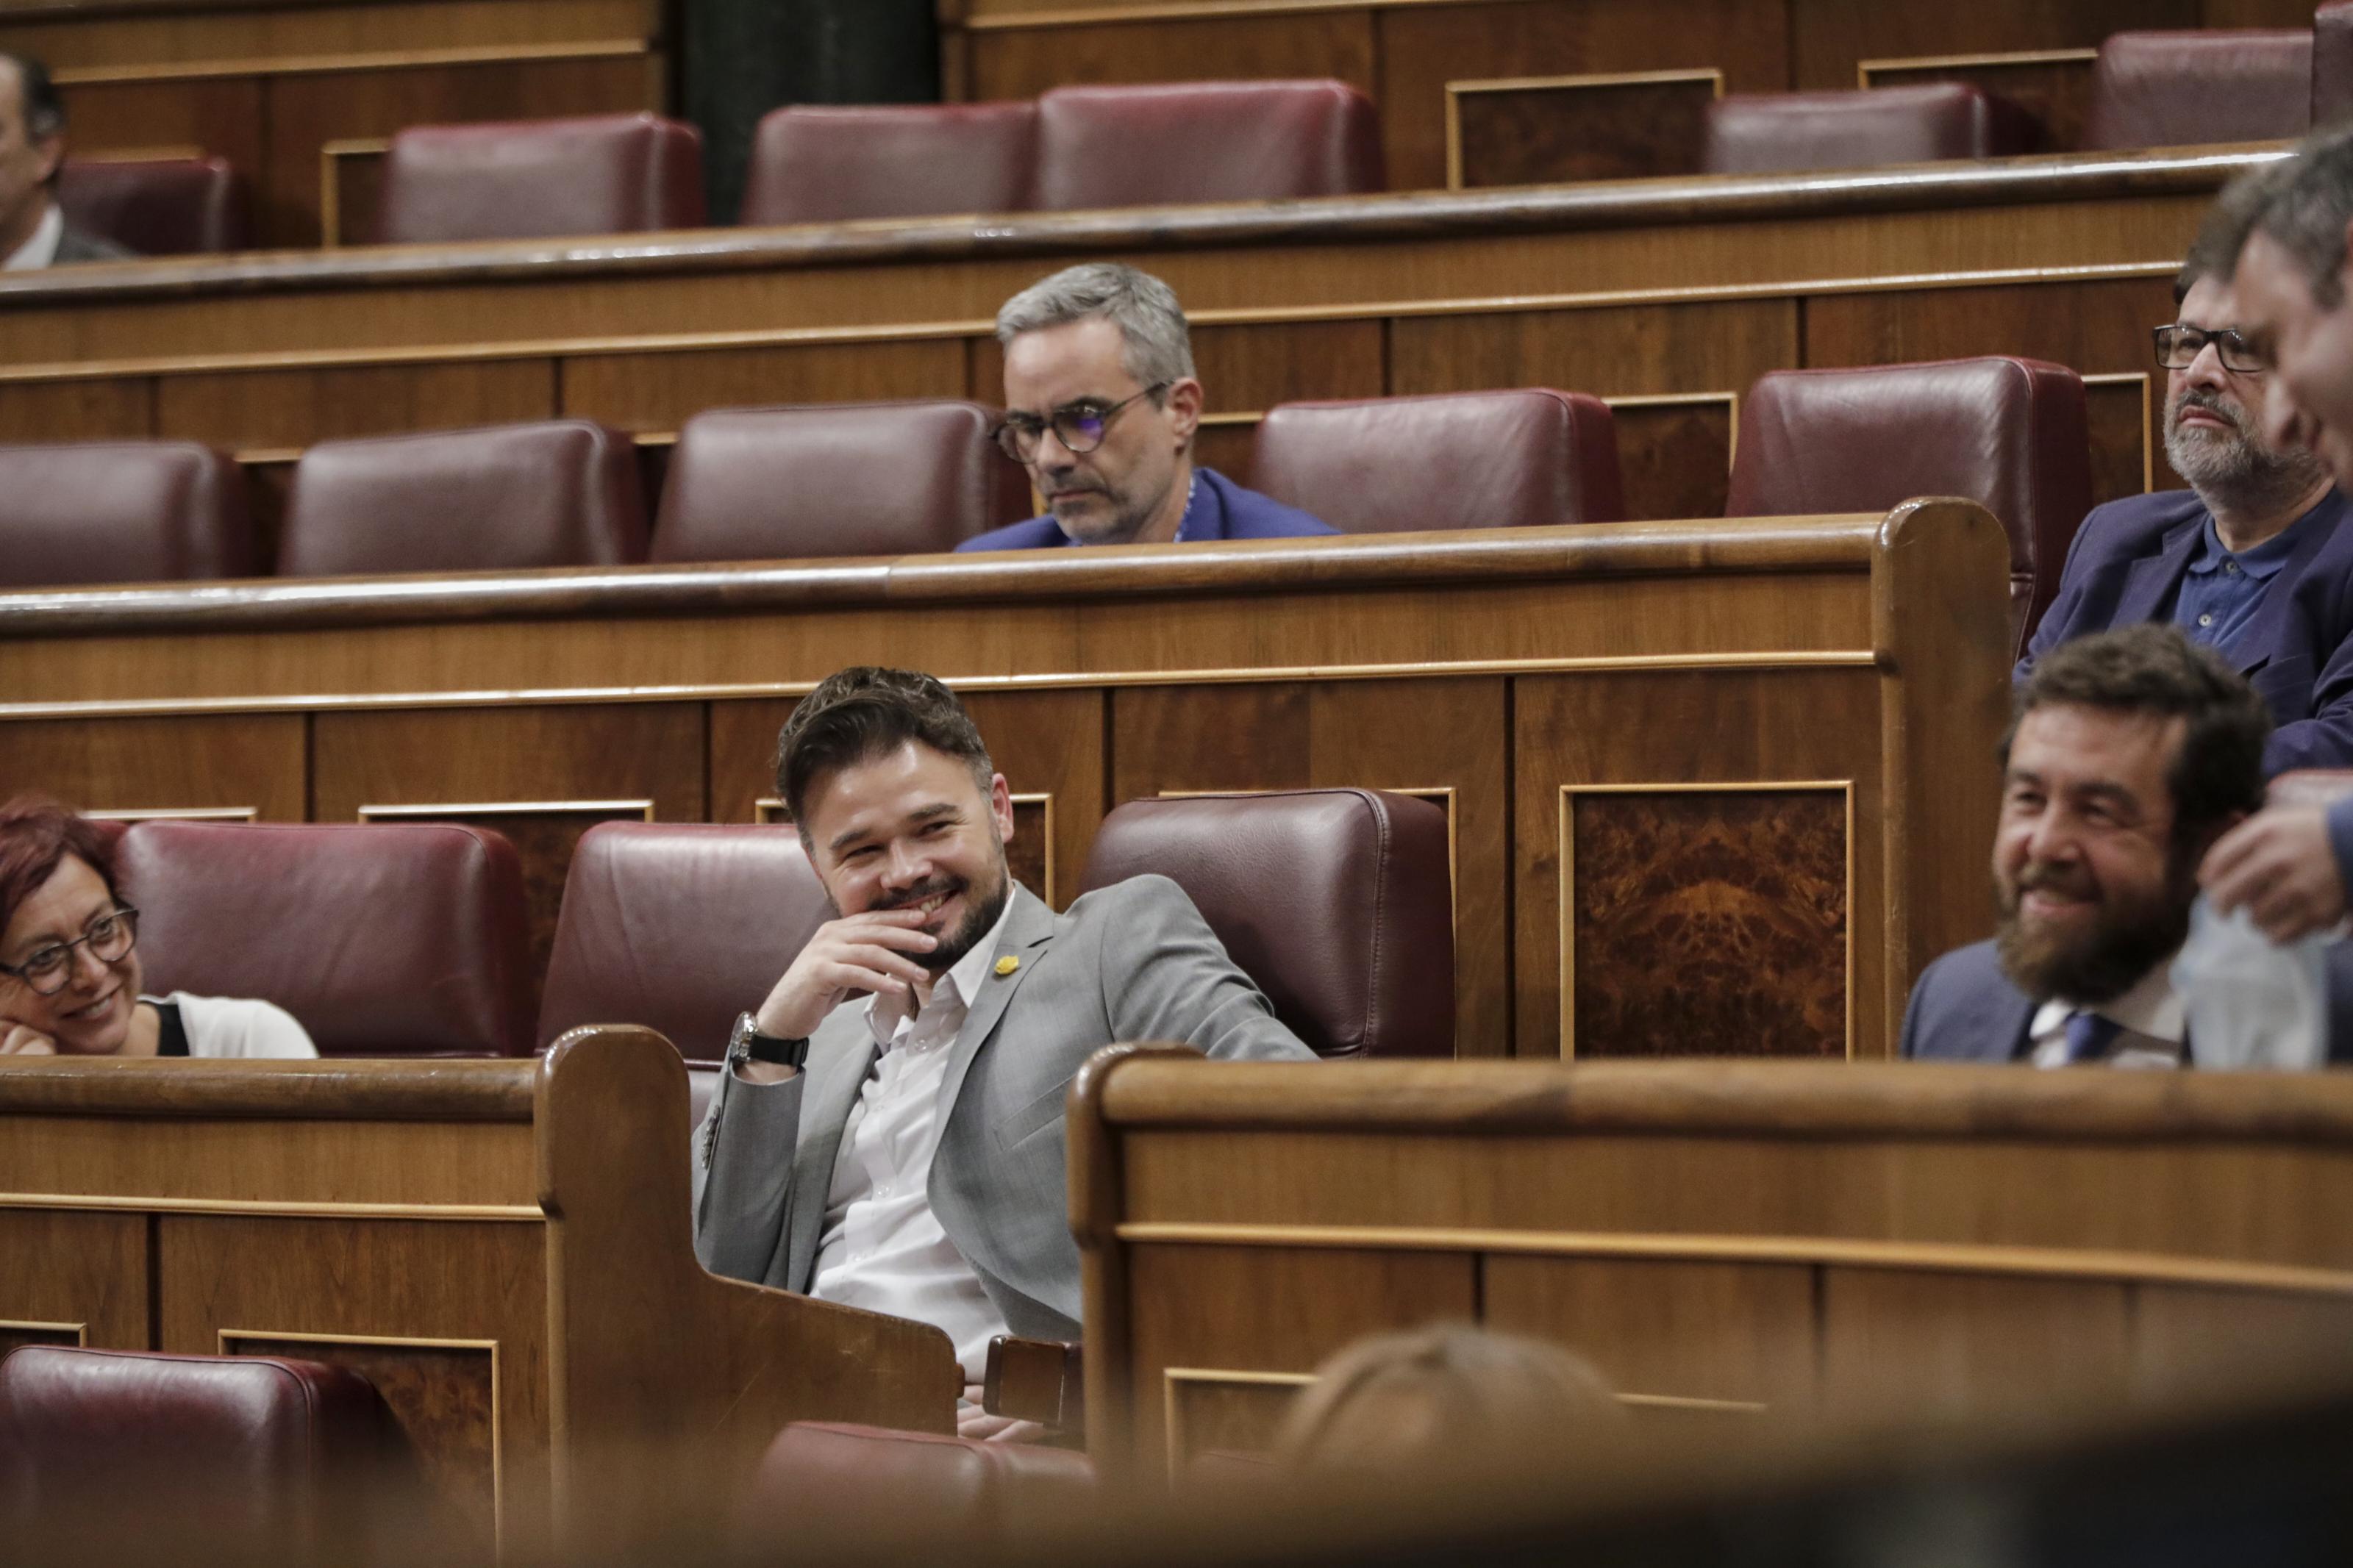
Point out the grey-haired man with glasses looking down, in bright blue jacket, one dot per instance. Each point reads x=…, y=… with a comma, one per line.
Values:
x=1102, y=408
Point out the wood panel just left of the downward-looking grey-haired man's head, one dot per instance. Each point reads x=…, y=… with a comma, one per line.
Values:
x=660, y=391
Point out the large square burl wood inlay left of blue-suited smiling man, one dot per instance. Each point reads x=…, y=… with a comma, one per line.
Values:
x=1707, y=923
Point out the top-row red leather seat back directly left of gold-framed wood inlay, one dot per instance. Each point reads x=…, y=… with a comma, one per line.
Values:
x=1204, y=142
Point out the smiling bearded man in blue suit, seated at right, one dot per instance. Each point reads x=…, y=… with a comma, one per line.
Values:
x=2128, y=756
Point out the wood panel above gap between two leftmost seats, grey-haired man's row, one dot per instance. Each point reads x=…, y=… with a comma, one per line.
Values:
x=298, y=408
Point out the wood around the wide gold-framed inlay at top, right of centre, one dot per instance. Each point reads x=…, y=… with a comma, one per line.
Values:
x=1425, y=48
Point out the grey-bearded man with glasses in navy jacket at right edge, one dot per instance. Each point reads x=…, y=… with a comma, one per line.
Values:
x=2253, y=561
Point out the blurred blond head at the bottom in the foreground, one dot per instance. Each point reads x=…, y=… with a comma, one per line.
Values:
x=1446, y=1400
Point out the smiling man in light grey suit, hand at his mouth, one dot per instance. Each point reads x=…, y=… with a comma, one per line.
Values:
x=888, y=1130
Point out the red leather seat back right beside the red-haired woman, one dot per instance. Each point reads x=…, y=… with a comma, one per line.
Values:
x=385, y=939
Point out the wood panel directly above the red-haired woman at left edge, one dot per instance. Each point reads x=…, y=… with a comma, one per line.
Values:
x=164, y=763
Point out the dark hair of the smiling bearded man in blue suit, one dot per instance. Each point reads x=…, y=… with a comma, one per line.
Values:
x=2157, y=671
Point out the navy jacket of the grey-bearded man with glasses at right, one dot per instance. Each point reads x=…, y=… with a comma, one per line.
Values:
x=2126, y=565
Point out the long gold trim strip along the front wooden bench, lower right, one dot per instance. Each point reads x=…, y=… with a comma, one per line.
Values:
x=1815, y=1252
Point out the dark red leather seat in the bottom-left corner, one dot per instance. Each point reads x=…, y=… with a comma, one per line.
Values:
x=218, y=1449
